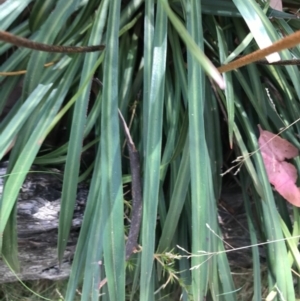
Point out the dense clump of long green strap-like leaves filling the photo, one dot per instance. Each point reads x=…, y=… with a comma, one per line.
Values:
x=187, y=123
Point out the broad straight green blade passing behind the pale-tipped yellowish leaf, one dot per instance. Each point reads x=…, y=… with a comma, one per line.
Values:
x=199, y=161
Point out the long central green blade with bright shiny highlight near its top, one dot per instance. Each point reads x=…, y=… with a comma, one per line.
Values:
x=153, y=132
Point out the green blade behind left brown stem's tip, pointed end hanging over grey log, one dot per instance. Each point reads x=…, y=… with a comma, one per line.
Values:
x=75, y=144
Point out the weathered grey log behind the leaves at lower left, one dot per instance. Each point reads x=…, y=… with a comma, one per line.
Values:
x=37, y=222
